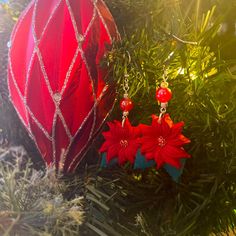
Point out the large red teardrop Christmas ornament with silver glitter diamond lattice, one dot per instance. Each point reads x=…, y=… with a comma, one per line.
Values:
x=55, y=81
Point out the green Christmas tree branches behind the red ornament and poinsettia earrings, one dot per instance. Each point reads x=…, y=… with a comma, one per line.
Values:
x=195, y=41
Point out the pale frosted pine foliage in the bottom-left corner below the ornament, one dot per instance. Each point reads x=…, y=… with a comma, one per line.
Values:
x=32, y=202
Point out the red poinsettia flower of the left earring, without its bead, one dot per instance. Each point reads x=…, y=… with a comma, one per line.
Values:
x=121, y=142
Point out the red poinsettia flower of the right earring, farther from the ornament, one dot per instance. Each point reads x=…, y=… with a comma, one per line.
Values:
x=163, y=141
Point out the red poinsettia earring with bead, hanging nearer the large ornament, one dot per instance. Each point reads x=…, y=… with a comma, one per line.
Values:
x=121, y=141
